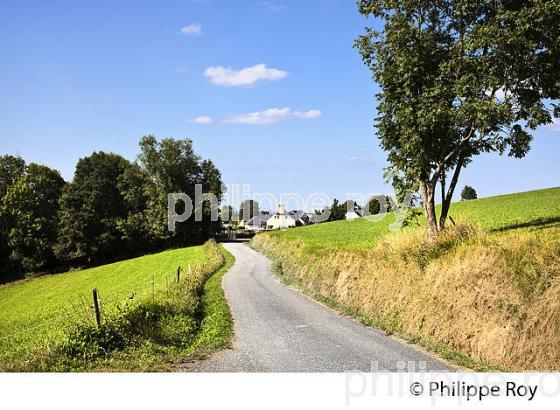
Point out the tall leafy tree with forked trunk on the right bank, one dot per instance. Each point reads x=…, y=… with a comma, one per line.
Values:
x=459, y=78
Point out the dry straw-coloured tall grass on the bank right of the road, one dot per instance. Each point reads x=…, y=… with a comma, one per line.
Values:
x=492, y=296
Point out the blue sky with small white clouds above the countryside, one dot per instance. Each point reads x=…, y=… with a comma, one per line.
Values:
x=272, y=91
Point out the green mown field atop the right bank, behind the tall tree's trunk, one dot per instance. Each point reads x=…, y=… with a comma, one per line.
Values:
x=534, y=209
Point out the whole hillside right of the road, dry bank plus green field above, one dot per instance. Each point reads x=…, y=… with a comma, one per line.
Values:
x=485, y=294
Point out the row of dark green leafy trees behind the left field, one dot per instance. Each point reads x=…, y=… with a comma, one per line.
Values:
x=112, y=209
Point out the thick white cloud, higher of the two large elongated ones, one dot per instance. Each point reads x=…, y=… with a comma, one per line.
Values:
x=230, y=77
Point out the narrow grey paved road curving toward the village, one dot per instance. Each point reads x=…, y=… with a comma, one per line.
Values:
x=279, y=330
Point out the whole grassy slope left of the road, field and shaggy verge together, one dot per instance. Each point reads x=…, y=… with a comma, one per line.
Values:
x=141, y=330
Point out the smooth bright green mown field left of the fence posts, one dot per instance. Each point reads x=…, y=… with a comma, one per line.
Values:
x=36, y=313
